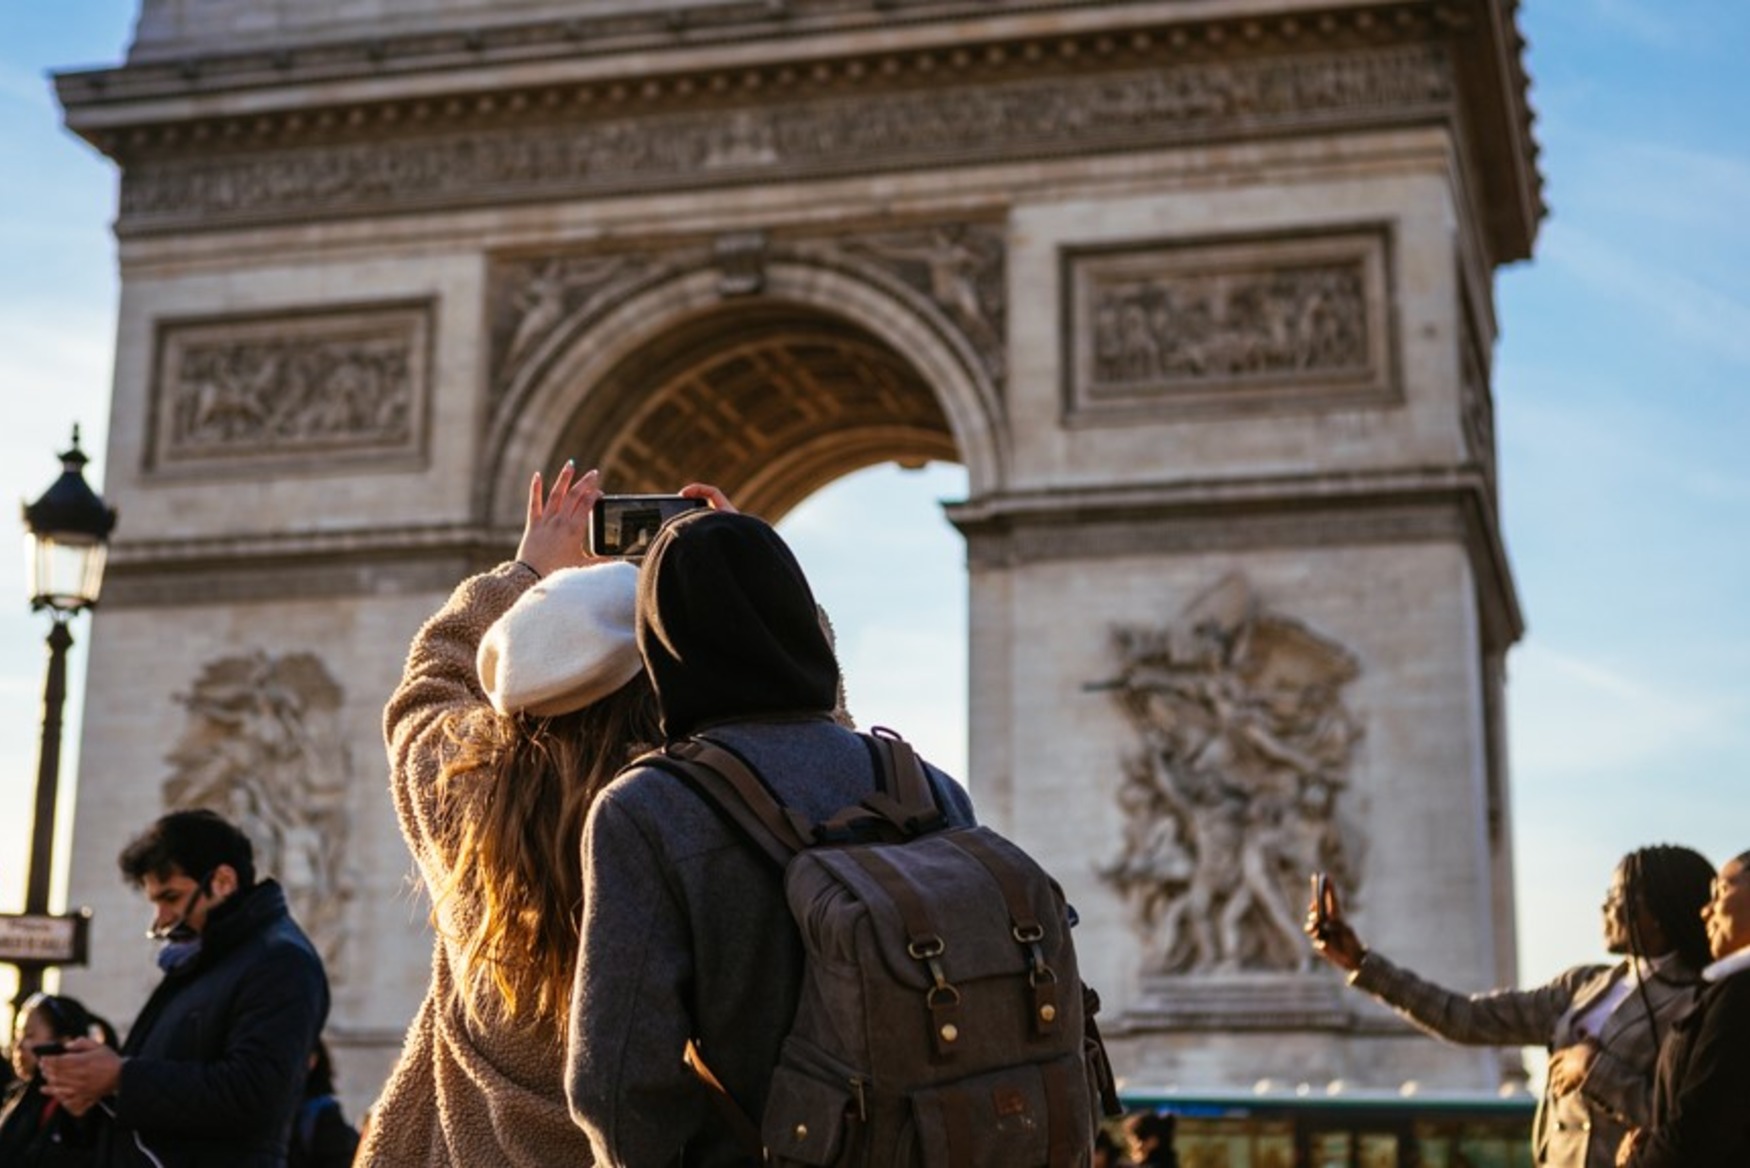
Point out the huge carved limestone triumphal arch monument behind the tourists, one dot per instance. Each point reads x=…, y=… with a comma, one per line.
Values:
x=1200, y=292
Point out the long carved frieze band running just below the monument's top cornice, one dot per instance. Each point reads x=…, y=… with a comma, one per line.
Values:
x=542, y=155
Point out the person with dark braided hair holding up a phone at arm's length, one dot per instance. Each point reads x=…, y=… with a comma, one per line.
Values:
x=1600, y=1024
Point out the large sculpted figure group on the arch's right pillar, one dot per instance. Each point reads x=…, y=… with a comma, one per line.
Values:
x=1238, y=787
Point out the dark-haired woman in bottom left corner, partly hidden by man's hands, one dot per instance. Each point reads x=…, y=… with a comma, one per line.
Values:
x=36, y=1130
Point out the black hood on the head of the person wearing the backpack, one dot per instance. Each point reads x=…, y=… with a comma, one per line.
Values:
x=729, y=626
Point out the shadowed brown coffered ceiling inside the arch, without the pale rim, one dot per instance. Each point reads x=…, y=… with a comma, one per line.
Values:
x=767, y=402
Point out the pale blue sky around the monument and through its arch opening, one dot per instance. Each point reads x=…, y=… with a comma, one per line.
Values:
x=1623, y=407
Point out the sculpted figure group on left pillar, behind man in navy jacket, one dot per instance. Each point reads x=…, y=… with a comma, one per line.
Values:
x=263, y=747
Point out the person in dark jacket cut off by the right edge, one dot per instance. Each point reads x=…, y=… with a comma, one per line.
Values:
x=1702, y=1097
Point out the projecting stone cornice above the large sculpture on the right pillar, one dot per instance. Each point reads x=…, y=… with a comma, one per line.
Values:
x=1415, y=505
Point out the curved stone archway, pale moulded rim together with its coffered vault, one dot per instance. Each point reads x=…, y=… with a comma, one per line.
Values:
x=825, y=370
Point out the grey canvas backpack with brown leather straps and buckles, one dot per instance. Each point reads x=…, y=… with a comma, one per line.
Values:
x=942, y=1018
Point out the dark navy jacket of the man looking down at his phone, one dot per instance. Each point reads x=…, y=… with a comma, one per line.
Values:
x=216, y=1062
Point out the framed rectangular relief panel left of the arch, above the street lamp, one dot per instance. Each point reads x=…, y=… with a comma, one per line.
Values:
x=314, y=388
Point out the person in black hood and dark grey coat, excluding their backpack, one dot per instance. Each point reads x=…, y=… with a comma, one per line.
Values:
x=687, y=936
